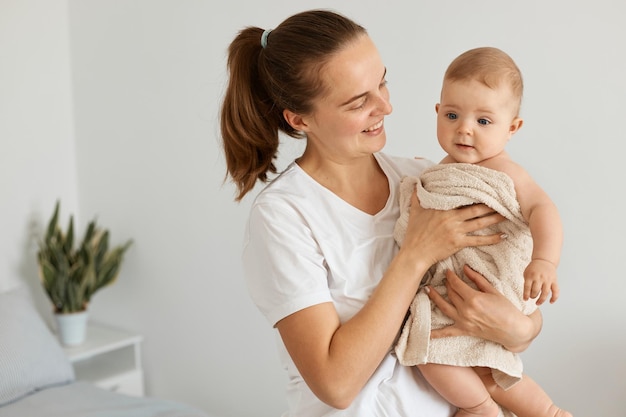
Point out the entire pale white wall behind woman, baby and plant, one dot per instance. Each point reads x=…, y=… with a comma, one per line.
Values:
x=147, y=81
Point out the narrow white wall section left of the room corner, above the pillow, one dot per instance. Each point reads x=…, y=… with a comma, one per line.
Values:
x=37, y=163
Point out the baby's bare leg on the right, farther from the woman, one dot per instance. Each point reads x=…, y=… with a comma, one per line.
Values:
x=525, y=399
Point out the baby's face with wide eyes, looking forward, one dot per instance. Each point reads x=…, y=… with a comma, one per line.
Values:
x=474, y=121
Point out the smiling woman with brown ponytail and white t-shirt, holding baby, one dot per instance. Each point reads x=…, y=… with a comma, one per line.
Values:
x=320, y=259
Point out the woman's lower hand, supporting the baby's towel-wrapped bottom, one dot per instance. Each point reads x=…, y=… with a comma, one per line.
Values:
x=484, y=313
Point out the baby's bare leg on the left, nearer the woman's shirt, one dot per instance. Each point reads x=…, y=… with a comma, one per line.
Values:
x=462, y=387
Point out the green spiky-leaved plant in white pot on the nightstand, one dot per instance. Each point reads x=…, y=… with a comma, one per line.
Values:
x=71, y=274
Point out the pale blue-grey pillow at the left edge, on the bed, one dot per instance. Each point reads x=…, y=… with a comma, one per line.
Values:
x=31, y=358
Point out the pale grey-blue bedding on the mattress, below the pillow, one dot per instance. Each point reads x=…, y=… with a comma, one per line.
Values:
x=81, y=399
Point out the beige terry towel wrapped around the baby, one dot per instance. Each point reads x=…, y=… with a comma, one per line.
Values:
x=445, y=187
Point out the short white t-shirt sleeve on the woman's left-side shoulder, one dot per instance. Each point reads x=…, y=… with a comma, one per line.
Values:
x=284, y=267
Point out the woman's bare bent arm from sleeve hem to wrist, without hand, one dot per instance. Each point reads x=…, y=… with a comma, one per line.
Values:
x=336, y=359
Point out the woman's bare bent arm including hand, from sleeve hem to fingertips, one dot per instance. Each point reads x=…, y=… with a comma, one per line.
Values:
x=336, y=359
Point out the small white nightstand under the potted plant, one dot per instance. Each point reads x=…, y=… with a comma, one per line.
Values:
x=110, y=358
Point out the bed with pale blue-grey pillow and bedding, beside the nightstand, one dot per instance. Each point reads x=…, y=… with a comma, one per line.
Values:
x=37, y=379
